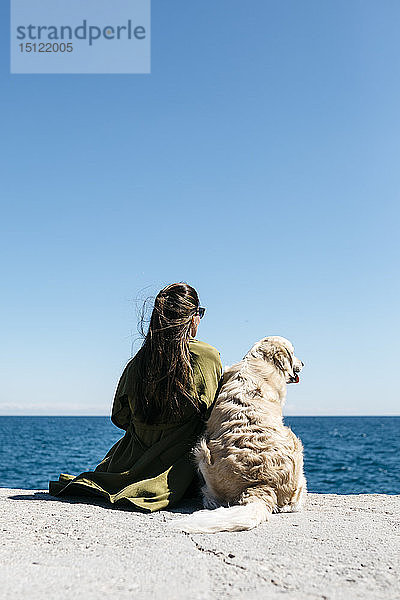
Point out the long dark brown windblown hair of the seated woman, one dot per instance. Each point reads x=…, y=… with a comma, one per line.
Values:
x=163, y=387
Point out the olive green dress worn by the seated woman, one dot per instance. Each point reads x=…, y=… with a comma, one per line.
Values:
x=150, y=467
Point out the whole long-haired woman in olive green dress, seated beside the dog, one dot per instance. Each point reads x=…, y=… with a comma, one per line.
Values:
x=162, y=401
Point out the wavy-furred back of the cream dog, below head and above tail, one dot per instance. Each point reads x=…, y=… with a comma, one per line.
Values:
x=247, y=452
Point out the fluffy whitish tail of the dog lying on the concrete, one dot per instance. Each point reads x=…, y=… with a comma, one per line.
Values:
x=234, y=518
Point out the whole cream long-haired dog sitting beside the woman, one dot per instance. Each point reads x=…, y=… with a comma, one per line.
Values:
x=250, y=462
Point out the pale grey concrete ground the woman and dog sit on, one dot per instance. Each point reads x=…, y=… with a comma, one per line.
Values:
x=338, y=547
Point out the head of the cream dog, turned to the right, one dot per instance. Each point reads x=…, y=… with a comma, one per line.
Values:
x=279, y=352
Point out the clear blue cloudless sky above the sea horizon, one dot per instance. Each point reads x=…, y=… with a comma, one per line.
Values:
x=259, y=162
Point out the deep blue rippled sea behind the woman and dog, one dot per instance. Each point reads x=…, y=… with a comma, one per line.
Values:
x=343, y=455
